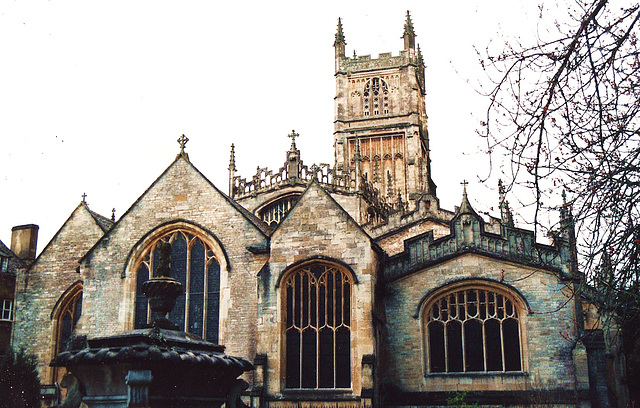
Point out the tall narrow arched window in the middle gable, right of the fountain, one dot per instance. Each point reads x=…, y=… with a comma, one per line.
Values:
x=317, y=298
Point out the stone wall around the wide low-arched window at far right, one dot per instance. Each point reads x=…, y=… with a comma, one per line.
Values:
x=548, y=328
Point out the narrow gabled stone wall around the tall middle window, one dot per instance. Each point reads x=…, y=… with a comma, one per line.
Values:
x=317, y=228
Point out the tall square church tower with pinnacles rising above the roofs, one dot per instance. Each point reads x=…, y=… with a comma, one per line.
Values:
x=380, y=125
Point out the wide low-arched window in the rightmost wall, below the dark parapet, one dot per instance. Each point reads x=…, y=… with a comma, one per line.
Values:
x=473, y=329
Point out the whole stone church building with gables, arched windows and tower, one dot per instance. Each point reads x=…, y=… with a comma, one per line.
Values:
x=346, y=285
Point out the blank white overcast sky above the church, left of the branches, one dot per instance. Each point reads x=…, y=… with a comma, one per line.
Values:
x=93, y=95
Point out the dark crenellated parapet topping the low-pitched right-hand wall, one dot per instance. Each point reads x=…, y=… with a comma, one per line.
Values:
x=468, y=235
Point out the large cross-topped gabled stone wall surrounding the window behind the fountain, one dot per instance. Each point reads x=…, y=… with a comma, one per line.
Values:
x=180, y=197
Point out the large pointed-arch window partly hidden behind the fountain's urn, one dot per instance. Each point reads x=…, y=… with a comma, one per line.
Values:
x=194, y=265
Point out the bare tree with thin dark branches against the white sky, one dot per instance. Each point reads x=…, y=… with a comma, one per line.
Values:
x=565, y=112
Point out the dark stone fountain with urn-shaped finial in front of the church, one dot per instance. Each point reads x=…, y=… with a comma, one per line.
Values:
x=157, y=366
